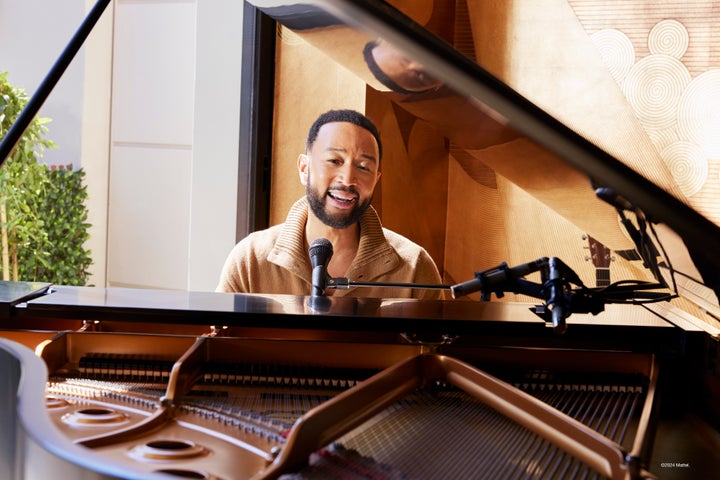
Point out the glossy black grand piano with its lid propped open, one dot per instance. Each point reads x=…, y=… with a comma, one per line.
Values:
x=537, y=375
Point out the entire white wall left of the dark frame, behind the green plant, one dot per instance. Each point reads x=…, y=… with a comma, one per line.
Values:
x=157, y=122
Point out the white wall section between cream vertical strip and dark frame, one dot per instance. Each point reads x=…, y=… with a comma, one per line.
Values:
x=175, y=127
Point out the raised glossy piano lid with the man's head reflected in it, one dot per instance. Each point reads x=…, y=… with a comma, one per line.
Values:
x=479, y=112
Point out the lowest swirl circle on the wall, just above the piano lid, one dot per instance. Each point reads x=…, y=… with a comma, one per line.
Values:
x=688, y=166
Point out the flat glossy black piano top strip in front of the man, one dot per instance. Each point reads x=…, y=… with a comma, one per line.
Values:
x=254, y=309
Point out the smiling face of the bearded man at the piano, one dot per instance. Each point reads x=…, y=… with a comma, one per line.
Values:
x=340, y=173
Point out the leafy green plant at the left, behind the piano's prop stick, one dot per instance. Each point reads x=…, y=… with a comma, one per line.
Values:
x=43, y=217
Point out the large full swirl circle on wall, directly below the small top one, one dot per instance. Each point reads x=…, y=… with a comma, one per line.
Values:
x=654, y=86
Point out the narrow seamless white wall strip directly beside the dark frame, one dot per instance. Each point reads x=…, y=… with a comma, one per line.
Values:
x=215, y=140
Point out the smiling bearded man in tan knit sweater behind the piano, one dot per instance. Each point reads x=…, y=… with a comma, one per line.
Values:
x=339, y=169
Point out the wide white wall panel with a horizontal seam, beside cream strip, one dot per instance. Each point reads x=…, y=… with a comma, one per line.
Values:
x=151, y=143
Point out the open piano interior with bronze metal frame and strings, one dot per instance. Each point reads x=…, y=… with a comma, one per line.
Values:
x=233, y=407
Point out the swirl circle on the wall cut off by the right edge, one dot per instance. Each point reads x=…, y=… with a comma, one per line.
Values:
x=699, y=113
